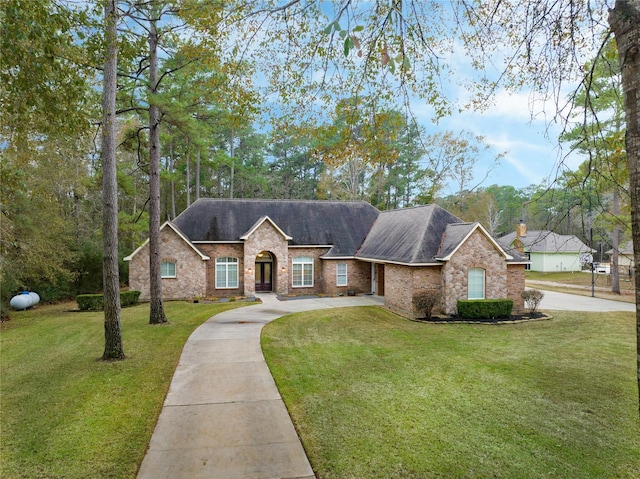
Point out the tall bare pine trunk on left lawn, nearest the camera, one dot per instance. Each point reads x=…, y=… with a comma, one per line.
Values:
x=112, y=322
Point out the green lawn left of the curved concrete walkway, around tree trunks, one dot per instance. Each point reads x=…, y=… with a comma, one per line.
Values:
x=65, y=413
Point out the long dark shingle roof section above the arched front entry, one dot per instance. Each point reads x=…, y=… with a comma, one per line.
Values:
x=341, y=224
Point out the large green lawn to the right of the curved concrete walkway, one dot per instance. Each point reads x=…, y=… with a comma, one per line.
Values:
x=377, y=396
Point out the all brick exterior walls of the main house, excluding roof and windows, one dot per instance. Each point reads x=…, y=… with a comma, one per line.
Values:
x=196, y=277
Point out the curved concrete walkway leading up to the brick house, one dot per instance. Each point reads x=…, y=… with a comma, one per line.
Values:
x=223, y=416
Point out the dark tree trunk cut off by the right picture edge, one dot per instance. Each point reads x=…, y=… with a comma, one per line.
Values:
x=624, y=19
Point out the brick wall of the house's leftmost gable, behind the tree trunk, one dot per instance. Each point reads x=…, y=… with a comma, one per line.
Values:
x=191, y=269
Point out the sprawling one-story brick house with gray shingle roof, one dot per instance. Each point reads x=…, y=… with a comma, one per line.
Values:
x=237, y=247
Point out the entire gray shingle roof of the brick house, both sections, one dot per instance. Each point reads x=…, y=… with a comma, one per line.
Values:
x=418, y=235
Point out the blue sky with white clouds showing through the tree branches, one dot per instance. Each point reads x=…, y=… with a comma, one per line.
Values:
x=514, y=124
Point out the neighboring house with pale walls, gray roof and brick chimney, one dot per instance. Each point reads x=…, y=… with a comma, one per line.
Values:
x=547, y=251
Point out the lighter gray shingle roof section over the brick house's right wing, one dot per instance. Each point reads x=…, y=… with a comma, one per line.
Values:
x=409, y=236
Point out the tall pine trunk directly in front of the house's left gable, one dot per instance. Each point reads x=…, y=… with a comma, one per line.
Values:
x=156, y=309
